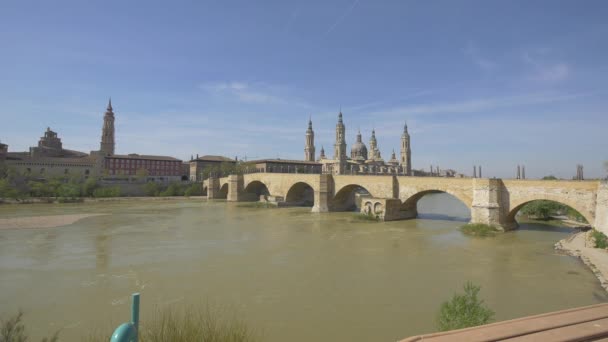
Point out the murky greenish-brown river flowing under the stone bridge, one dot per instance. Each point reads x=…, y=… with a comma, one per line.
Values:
x=292, y=274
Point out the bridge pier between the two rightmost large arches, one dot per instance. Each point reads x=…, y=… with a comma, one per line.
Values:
x=487, y=207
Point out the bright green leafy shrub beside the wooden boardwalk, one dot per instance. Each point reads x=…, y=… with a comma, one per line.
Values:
x=464, y=310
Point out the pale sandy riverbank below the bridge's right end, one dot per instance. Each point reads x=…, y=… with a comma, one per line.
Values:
x=596, y=259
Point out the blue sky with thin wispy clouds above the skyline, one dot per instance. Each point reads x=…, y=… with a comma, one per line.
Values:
x=479, y=82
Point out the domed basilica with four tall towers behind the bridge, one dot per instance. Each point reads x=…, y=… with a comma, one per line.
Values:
x=361, y=160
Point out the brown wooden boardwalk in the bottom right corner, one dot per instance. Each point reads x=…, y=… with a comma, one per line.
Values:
x=589, y=323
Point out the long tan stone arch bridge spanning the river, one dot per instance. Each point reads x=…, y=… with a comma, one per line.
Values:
x=491, y=201
